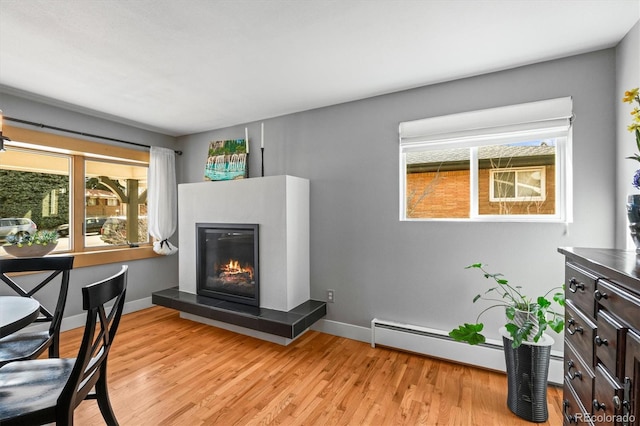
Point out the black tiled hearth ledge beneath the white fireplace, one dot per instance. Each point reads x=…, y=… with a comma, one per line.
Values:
x=279, y=323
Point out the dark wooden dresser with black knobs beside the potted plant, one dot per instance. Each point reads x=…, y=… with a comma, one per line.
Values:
x=602, y=337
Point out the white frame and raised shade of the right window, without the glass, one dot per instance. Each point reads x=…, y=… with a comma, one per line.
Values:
x=510, y=124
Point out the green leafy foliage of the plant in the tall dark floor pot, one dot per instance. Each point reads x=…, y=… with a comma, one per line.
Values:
x=527, y=318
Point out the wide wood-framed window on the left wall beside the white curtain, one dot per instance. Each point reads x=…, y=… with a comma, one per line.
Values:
x=93, y=195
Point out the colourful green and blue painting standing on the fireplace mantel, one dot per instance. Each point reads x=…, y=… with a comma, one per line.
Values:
x=226, y=160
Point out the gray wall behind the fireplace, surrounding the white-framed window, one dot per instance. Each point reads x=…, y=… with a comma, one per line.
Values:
x=413, y=272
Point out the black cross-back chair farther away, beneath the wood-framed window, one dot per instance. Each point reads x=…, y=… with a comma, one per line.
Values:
x=30, y=344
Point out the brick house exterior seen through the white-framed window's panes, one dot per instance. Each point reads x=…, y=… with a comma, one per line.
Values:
x=511, y=179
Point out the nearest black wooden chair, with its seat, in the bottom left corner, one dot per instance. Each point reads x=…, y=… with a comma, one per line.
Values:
x=43, y=391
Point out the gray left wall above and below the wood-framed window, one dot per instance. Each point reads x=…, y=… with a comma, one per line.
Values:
x=145, y=276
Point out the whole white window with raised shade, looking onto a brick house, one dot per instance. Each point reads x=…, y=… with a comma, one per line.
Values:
x=502, y=164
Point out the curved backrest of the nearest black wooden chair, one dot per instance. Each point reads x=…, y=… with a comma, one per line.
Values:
x=99, y=332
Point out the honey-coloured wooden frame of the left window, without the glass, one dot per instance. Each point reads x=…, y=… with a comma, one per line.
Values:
x=80, y=150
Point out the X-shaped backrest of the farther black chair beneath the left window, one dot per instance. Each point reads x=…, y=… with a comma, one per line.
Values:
x=56, y=265
